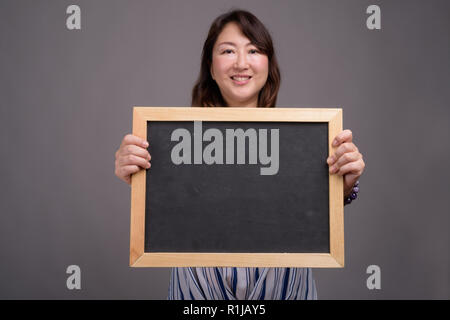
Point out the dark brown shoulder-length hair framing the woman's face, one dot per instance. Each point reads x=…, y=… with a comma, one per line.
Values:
x=206, y=93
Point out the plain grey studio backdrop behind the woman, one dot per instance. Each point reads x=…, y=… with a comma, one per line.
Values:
x=66, y=102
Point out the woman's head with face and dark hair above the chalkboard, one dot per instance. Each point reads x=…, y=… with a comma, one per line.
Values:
x=239, y=66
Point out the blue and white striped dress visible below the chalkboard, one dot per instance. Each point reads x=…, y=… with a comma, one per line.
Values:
x=242, y=284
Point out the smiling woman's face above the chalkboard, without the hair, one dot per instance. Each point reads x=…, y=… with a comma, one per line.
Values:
x=238, y=67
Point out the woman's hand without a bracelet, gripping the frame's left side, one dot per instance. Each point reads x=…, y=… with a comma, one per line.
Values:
x=131, y=157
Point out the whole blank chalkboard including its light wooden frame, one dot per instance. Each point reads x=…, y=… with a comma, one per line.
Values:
x=194, y=212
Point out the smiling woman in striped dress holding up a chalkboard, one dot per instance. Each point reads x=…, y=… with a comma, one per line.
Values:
x=239, y=69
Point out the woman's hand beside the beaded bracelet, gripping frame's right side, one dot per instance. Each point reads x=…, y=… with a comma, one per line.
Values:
x=346, y=161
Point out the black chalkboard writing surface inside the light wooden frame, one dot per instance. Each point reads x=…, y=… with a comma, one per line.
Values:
x=232, y=207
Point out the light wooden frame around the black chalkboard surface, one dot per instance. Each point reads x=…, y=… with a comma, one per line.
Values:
x=139, y=258
